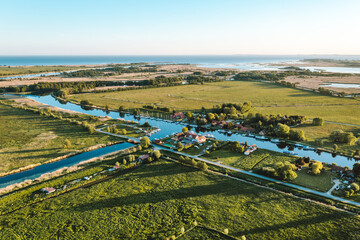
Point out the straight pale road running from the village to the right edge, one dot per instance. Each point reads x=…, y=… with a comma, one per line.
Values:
x=322, y=194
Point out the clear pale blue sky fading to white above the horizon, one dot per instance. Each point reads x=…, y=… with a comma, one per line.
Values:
x=158, y=27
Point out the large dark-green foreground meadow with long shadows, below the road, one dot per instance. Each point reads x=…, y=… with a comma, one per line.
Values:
x=156, y=200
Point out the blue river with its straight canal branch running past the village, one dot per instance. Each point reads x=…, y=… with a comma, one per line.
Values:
x=167, y=128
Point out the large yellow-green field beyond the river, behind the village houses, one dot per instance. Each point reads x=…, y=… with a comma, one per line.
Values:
x=267, y=98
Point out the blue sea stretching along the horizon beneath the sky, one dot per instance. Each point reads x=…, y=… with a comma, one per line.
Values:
x=244, y=62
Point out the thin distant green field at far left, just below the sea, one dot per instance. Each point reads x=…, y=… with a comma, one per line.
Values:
x=8, y=71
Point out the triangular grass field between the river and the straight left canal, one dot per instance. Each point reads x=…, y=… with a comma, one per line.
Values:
x=29, y=138
